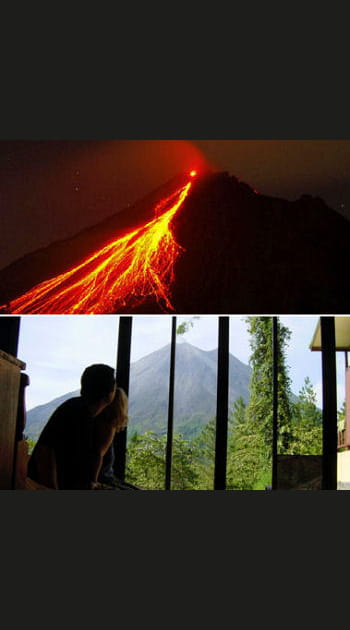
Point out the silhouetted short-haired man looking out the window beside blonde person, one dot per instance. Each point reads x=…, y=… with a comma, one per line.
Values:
x=69, y=452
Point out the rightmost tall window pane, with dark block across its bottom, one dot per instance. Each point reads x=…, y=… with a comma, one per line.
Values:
x=300, y=424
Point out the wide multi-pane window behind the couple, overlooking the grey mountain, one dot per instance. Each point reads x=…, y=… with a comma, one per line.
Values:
x=56, y=349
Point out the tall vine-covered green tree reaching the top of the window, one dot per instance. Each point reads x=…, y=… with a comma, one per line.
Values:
x=250, y=448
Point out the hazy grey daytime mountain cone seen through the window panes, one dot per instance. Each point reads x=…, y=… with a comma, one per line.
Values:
x=194, y=391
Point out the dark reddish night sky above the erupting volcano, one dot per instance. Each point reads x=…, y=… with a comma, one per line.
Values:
x=50, y=190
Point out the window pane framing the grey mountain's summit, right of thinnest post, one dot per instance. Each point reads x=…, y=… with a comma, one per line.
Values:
x=195, y=403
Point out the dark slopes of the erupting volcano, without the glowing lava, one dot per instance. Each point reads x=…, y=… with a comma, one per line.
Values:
x=238, y=252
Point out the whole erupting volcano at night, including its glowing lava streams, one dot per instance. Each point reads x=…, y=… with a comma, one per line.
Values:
x=206, y=245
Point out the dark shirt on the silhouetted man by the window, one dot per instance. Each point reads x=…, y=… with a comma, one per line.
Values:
x=69, y=432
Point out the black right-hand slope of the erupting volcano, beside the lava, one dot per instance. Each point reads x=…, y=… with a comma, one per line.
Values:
x=250, y=253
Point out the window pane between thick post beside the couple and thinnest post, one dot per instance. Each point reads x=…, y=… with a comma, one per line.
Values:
x=148, y=401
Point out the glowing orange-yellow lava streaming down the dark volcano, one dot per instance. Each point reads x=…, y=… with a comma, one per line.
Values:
x=136, y=265
